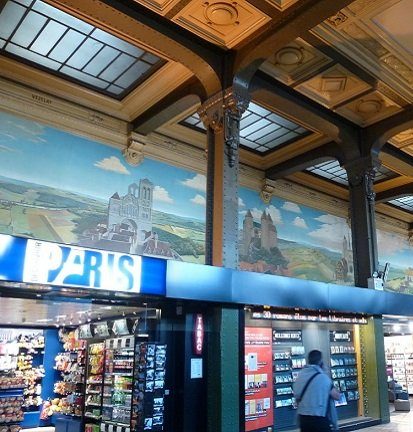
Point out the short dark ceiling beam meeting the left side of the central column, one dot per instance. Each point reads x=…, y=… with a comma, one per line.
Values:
x=178, y=101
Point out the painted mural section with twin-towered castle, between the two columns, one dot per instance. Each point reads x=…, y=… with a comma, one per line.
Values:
x=288, y=239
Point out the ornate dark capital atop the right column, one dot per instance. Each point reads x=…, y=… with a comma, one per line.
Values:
x=361, y=172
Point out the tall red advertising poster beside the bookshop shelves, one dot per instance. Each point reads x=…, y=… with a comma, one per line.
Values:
x=259, y=412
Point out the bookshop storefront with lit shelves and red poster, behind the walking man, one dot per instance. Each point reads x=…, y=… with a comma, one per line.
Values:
x=277, y=343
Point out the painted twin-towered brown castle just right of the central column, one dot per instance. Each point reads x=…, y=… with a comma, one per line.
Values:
x=257, y=235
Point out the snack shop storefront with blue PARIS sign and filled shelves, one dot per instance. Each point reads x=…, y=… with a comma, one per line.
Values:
x=89, y=341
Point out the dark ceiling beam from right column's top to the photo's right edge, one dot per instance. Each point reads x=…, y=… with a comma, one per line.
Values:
x=379, y=133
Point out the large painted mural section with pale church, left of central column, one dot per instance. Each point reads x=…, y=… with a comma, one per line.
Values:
x=60, y=187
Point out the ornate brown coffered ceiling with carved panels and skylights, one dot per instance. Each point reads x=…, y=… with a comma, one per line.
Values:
x=323, y=65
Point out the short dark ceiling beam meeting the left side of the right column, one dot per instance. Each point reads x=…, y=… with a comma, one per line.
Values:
x=318, y=155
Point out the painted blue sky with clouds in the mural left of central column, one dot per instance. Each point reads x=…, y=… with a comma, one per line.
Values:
x=32, y=152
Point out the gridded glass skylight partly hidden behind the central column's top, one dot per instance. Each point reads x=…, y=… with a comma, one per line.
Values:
x=260, y=129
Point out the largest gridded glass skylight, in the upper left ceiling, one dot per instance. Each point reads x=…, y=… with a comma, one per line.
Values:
x=45, y=36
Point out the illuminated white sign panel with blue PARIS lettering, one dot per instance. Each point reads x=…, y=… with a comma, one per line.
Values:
x=55, y=264
